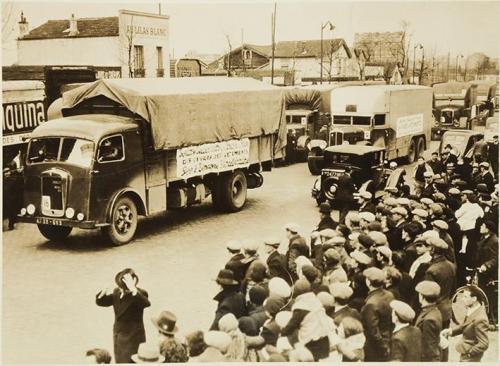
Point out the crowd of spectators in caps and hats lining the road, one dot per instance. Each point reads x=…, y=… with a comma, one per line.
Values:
x=381, y=285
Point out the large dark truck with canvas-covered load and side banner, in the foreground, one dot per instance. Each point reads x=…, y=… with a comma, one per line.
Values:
x=129, y=147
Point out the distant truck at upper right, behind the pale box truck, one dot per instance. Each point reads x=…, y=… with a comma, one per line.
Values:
x=455, y=105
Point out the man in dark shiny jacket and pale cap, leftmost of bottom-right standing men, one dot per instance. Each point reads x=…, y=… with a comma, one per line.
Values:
x=376, y=316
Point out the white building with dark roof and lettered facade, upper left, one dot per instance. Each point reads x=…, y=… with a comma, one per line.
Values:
x=132, y=44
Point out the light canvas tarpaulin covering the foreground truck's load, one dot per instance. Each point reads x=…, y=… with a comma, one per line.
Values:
x=192, y=111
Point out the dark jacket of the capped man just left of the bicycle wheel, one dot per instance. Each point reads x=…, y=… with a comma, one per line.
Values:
x=430, y=323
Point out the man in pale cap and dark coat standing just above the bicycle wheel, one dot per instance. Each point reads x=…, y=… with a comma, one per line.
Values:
x=443, y=272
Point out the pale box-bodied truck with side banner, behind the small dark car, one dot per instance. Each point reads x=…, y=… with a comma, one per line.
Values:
x=397, y=118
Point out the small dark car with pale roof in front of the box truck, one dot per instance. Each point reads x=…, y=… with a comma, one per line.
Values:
x=366, y=164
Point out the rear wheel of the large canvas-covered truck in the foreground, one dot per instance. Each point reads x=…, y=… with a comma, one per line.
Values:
x=233, y=189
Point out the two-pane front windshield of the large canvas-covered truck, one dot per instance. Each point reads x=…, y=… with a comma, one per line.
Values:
x=65, y=149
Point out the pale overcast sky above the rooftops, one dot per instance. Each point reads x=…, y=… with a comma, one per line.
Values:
x=459, y=27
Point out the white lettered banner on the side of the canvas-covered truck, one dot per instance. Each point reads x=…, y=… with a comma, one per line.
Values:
x=212, y=158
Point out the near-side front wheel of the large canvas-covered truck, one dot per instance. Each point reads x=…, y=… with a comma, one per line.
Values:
x=123, y=221
